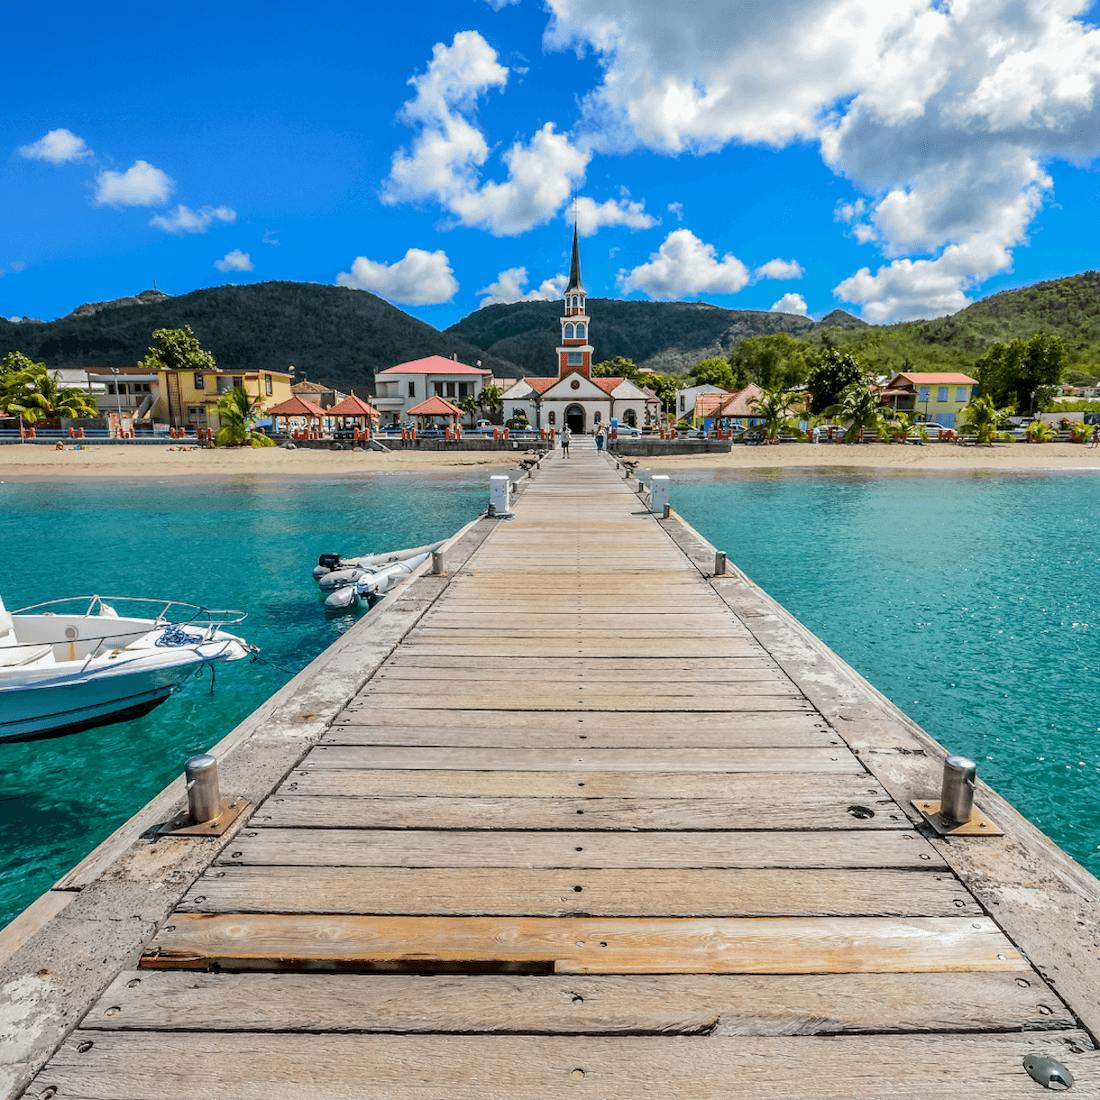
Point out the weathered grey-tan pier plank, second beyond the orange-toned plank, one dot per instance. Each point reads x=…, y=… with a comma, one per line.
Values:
x=284, y=848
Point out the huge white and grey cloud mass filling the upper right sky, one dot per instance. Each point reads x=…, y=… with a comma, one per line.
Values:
x=944, y=116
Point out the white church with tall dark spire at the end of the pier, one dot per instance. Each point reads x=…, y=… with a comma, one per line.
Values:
x=574, y=399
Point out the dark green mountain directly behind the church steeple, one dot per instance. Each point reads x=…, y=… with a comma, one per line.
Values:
x=667, y=336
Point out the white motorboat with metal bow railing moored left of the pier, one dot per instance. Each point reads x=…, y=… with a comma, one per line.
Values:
x=72, y=664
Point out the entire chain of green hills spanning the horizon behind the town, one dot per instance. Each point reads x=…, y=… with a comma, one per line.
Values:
x=343, y=337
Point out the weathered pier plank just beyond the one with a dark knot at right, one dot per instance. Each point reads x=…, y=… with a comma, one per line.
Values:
x=761, y=794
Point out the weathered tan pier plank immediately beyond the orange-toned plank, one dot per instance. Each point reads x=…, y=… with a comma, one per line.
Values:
x=512, y=892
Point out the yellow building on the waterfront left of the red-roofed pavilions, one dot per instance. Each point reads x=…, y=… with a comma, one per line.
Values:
x=183, y=398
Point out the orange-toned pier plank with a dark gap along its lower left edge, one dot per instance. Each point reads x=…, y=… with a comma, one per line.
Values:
x=592, y=945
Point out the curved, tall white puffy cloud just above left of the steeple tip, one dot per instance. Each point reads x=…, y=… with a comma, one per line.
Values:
x=445, y=161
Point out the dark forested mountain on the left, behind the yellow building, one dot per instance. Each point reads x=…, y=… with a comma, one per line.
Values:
x=332, y=334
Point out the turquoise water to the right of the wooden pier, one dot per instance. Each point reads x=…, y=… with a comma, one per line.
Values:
x=973, y=602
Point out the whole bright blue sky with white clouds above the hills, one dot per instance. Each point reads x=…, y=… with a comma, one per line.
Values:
x=900, y=166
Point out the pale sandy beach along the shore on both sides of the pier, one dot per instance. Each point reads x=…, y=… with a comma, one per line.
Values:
x=164, y=463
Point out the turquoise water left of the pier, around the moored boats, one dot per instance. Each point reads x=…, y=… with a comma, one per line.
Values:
x=235, y=544
